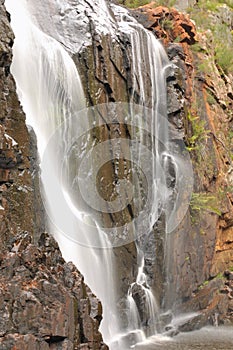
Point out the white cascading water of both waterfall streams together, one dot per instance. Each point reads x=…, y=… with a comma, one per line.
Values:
x=51, y=93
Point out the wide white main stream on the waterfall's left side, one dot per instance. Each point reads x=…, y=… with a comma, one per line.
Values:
x=50, y=91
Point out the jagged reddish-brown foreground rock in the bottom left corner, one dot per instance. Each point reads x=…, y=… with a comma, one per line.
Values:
x=44, y=301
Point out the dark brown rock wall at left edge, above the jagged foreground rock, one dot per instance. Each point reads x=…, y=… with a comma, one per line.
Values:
x=15, y=178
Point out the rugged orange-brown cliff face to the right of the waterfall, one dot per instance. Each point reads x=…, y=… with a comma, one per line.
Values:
x=200, y=106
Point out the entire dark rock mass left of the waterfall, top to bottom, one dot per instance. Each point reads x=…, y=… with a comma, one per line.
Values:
x=44, y=301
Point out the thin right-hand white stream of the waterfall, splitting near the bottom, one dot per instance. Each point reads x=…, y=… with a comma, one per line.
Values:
x=148, y=52
